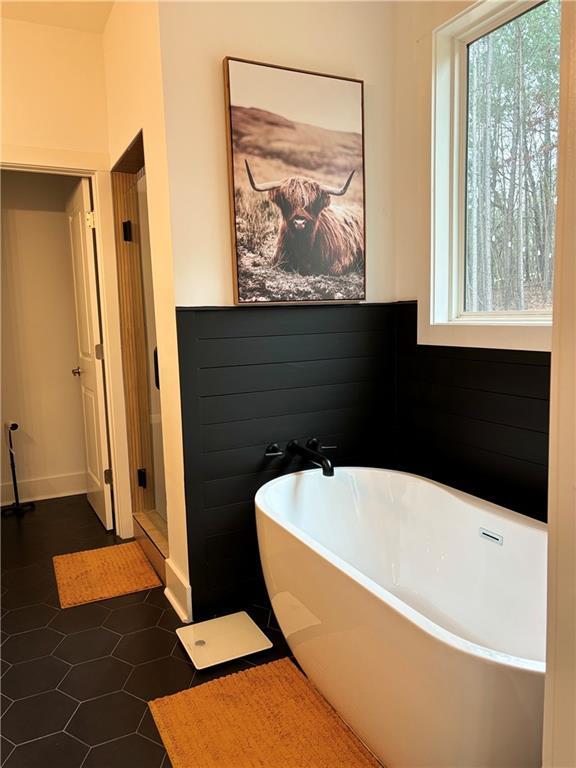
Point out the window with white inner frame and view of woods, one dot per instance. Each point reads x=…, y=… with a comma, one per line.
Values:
x=496, y=135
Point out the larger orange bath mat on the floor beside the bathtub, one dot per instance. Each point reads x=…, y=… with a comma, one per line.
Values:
x=267, y=716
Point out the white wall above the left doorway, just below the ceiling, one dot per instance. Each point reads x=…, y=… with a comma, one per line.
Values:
x=53, y=98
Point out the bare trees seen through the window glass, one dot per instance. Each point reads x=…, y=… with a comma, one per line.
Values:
x=512, y=122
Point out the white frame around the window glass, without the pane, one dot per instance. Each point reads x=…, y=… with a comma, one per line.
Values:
x=449, y=121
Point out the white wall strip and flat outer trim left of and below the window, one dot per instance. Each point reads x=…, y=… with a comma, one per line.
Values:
x=415, y=23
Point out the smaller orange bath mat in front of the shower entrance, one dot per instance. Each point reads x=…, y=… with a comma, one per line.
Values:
x=97, y=574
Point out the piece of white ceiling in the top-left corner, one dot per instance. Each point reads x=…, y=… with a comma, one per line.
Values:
x=86, y=16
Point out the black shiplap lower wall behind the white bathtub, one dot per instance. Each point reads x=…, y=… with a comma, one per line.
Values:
x=352, y=375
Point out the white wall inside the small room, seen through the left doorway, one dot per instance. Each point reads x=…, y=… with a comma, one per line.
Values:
x=39, y=347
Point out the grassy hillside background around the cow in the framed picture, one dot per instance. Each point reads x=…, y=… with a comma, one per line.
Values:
x=277, y=148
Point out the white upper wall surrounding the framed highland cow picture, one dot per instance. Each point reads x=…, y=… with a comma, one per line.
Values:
x=349, y=39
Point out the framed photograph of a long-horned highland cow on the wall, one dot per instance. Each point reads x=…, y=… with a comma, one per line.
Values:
x=296, y=154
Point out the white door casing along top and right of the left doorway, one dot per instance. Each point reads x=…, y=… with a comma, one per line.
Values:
x=101, y=190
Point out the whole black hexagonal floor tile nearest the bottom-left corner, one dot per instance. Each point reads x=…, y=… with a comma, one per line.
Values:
x=37, y=716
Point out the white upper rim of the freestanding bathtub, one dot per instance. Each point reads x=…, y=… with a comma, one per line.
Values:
x=422, y=622
